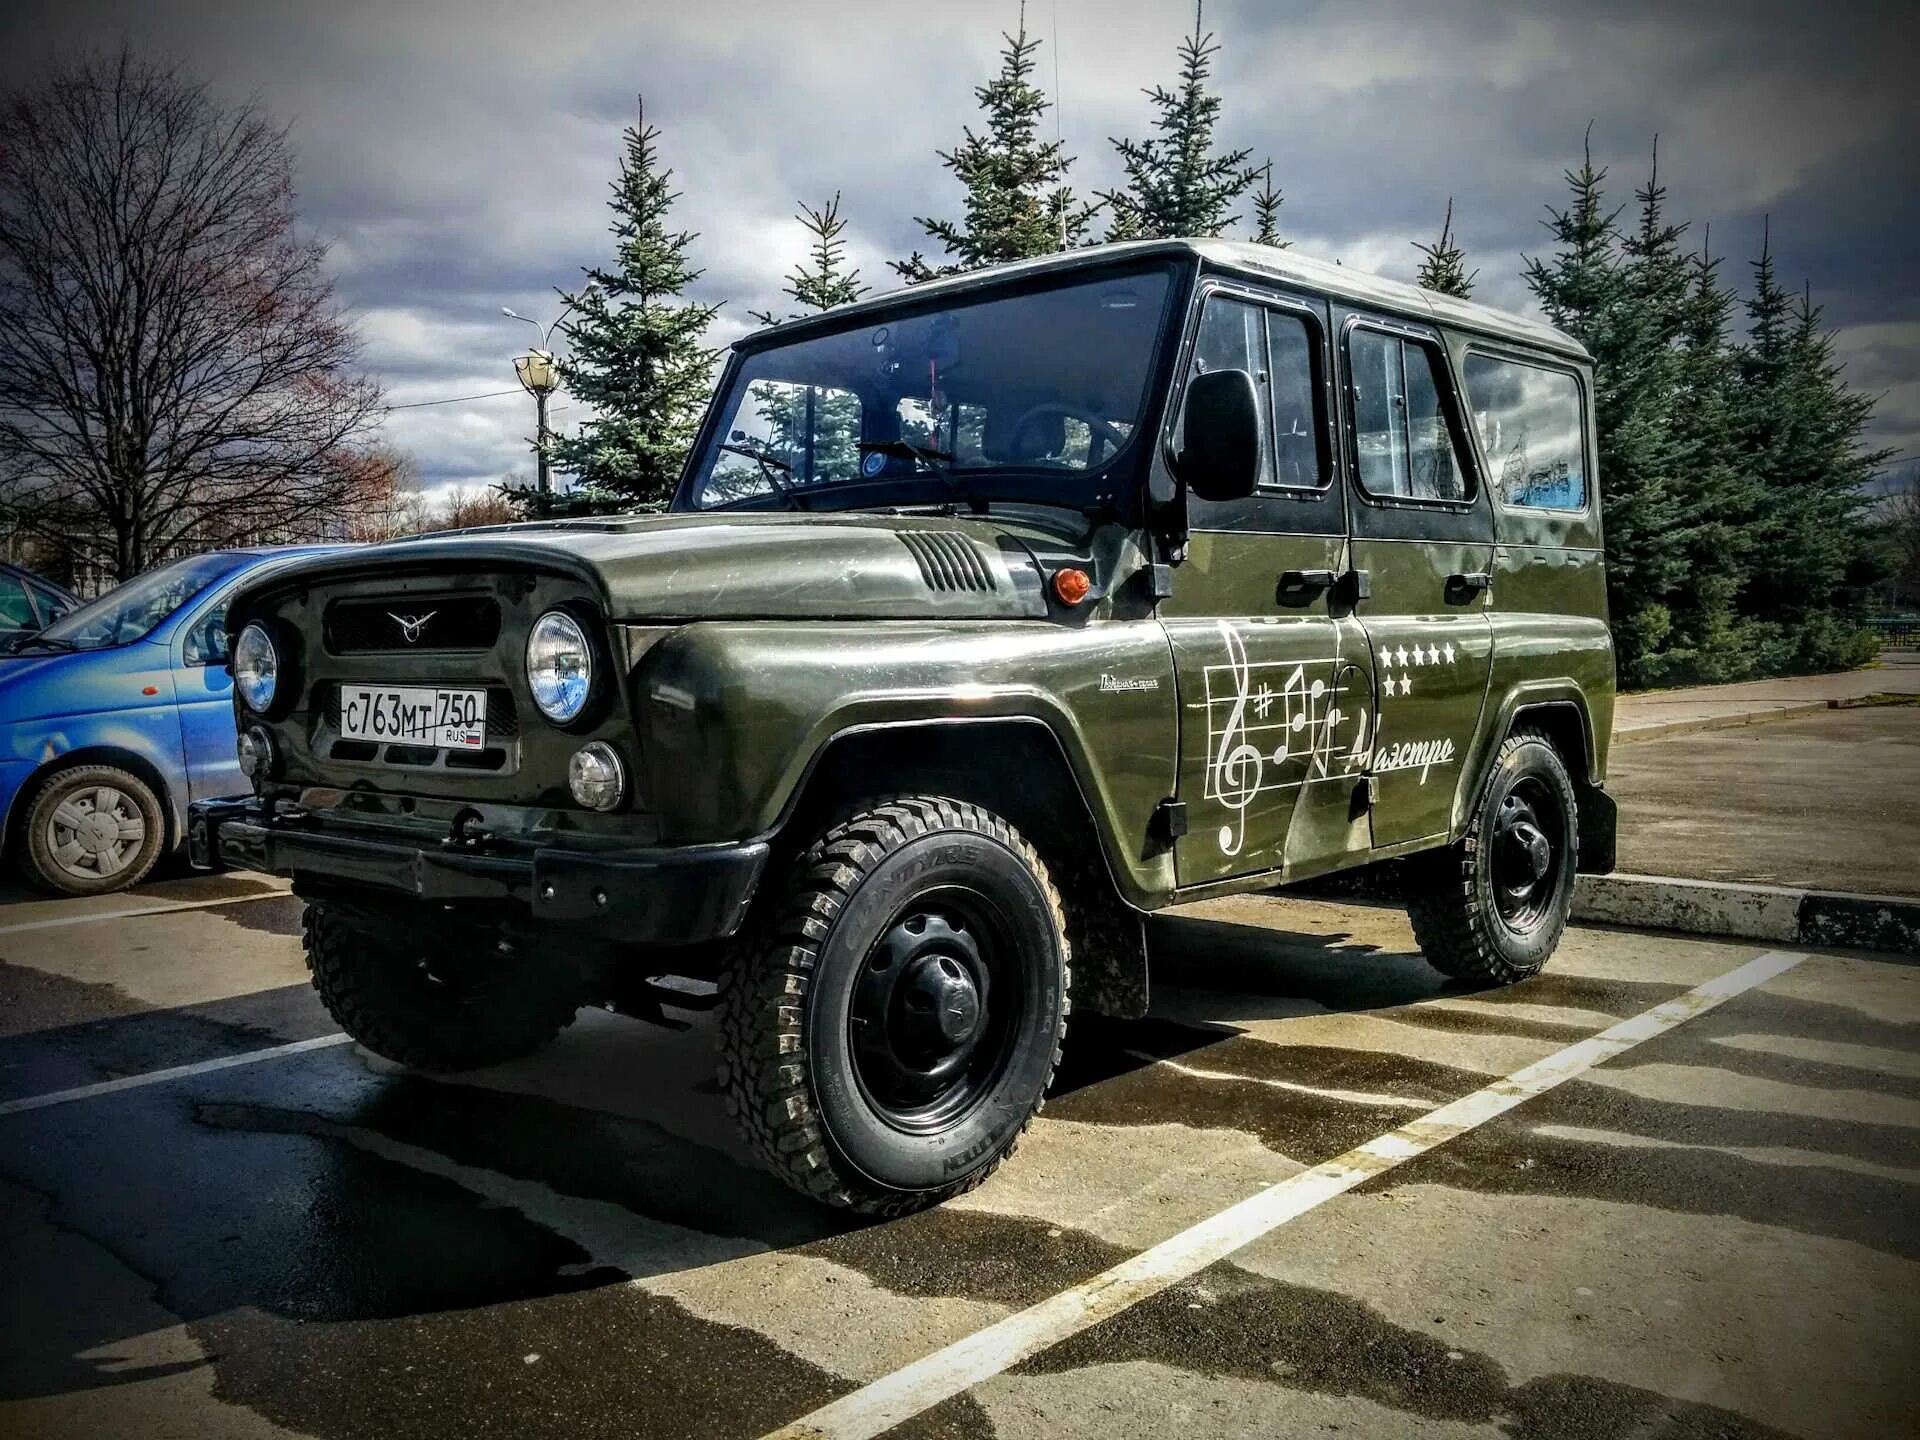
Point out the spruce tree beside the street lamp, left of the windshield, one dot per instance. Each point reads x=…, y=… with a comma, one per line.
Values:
x=635, y=345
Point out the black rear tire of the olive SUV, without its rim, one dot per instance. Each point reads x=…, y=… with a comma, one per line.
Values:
x=1451, y=892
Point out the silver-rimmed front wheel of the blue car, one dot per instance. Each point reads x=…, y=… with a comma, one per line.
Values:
x=91, y=830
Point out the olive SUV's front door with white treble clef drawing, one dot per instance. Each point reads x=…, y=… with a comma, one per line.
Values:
x=1260, y=650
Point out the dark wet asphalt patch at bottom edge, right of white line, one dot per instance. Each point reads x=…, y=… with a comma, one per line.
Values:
x=1228, y=1322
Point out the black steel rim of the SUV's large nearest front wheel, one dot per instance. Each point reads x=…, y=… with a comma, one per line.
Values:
x=934, y=1011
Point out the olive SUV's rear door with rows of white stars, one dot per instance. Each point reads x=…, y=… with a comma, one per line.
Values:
x=1424, y=535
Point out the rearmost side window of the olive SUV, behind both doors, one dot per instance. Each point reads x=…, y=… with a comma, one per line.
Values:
x=1529, y=423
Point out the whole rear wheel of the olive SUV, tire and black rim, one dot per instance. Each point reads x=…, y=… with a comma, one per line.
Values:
x=1493, y=907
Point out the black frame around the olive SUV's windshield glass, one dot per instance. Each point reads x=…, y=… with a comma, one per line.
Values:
x=1116, y=483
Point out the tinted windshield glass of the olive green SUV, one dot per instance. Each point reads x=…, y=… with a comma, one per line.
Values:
x=1026, y=396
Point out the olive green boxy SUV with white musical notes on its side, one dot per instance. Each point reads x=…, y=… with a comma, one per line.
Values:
x=988, y=617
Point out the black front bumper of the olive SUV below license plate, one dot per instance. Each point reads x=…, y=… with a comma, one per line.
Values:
x=644, y=896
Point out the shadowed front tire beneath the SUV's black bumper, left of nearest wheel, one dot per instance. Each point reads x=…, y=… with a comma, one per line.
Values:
x=370, y=969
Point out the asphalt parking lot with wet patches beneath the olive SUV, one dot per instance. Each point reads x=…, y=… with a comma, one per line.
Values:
x=1710, y=1234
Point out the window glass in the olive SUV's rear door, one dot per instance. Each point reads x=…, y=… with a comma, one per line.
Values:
x=1403, y=443
